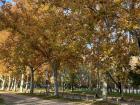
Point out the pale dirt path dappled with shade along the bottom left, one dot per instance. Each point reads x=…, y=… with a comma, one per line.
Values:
x=12, y=99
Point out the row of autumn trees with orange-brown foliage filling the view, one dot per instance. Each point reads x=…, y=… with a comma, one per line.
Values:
x=100, y=35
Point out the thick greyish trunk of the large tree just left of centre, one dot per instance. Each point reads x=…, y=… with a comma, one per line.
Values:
x=55, y=66
